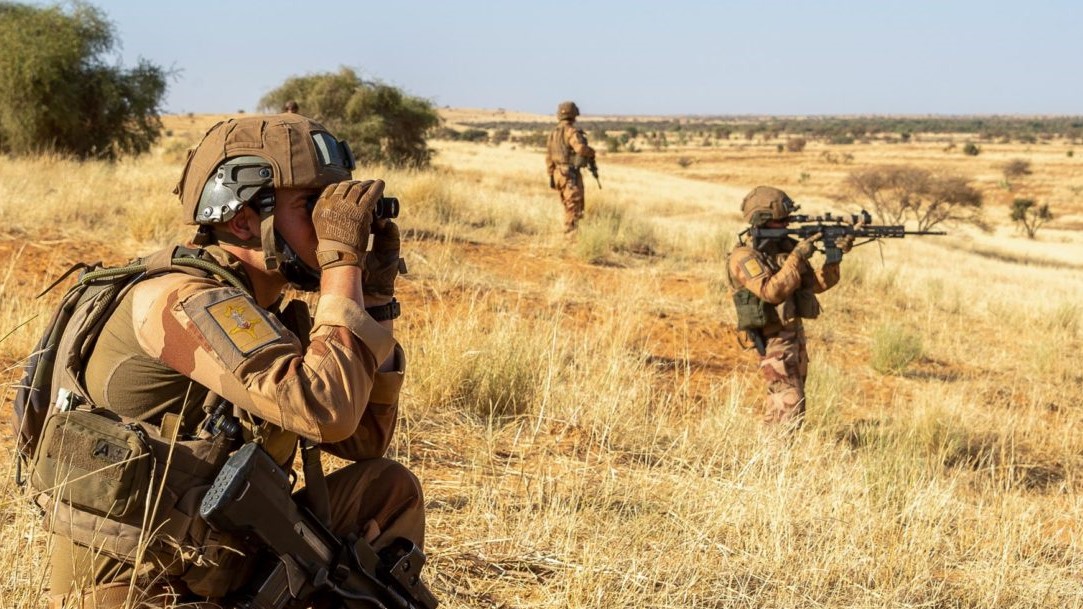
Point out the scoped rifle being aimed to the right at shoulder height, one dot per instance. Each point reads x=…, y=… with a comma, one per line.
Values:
x=832, y=229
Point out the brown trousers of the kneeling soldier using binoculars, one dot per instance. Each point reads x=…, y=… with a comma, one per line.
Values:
x=379, y=499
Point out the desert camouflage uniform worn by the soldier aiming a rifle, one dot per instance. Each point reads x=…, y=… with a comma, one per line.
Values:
x=786, y=283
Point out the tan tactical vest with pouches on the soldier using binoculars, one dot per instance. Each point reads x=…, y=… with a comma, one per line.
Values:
x=126, y=488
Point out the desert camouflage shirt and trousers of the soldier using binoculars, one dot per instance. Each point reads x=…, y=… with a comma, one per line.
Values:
x=178, y=338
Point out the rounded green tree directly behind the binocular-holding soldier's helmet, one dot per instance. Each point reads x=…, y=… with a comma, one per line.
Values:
x=383, y=124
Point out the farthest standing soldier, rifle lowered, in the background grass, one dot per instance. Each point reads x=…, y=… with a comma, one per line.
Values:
x=567, y=153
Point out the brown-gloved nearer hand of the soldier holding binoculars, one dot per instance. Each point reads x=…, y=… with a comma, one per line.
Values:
x=343, y=218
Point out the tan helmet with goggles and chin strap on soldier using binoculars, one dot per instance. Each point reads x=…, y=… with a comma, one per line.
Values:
x=241, y=162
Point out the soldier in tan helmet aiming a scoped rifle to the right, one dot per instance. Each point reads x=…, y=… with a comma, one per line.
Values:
x=775, y=288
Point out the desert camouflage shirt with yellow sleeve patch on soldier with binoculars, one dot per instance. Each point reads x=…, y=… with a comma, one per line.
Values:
x=176, y=336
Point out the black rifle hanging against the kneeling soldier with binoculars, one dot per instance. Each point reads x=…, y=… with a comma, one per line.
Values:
x=252, y=498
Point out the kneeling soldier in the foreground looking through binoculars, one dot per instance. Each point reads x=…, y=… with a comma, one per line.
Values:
x=199, y=356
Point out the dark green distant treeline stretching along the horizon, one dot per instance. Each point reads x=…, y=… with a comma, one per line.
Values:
x=834, y=129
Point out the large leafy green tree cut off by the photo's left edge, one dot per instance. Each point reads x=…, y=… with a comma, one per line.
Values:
x=60, y=92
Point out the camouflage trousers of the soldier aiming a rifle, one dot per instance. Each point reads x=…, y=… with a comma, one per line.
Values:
x=786, y=367
